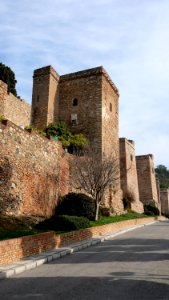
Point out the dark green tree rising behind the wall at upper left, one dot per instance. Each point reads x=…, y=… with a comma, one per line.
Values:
x=8, y=76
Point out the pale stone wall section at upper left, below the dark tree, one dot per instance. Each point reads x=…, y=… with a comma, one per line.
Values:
x=14, y=109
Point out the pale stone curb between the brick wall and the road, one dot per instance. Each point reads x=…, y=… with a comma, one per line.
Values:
x=46, y=257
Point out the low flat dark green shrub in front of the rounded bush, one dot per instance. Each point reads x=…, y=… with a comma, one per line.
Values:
x=64, y=223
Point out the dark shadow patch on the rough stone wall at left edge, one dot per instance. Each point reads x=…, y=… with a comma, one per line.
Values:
x=8, y=201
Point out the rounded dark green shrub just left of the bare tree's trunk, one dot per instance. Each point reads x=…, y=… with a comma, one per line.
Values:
x=74, y=204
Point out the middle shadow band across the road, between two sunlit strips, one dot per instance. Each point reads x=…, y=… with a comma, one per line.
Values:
x=124, y=250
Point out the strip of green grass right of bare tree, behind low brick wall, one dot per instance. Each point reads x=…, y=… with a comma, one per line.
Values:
x=108, y=220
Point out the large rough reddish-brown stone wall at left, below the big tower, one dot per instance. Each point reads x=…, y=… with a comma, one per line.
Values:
x=34, y=171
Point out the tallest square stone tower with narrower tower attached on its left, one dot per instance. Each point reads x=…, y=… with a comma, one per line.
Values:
x=88, y=102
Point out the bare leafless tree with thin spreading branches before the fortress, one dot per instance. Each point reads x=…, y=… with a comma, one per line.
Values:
x=95, y=176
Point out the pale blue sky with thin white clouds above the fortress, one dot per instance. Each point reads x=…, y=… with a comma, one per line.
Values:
x=129, y=38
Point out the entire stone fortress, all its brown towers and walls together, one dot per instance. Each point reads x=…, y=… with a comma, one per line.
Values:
x=88, y=102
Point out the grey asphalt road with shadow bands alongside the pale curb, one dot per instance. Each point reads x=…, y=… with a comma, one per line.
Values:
x=134, y=265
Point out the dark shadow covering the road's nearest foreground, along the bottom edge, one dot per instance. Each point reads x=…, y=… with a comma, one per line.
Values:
x=122, y=286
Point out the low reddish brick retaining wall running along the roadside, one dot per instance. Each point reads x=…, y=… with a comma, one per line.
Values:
x=18, y=248
